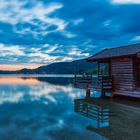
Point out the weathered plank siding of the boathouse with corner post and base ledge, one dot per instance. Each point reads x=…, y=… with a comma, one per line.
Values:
x=124, y=72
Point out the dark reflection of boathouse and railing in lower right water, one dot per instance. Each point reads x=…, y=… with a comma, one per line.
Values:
x=114, y=119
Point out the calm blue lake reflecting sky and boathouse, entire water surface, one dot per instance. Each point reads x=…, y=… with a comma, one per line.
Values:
x=51, y=108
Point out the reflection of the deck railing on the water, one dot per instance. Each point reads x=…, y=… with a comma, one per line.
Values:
x=99, y=114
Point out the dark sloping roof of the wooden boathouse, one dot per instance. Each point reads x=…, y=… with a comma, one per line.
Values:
x=129, y=50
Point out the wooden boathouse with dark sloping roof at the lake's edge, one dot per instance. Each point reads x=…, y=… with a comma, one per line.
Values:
x=123, y=70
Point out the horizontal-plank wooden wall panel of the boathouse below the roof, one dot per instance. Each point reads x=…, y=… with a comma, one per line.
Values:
x=122, y=71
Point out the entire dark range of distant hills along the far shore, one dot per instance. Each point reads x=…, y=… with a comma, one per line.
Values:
x=73, y=67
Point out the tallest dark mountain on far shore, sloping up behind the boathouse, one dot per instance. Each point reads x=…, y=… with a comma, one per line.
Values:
x=73, y=67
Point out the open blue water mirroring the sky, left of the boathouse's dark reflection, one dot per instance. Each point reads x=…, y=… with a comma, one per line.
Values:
x=41, y=109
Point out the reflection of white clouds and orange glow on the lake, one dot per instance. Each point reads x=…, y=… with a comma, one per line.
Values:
x=14, y=90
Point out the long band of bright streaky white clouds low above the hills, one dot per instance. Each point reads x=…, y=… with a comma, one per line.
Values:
x=38, y=54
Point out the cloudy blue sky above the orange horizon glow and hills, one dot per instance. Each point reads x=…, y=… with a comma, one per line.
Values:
x=45, y=31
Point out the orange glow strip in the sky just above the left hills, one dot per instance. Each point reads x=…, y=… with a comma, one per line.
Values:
x=18, y=66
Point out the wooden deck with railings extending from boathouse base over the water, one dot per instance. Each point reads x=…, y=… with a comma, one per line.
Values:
x=105, y=84
